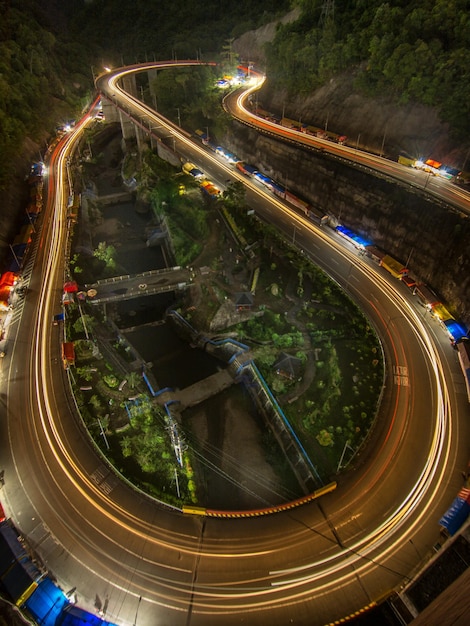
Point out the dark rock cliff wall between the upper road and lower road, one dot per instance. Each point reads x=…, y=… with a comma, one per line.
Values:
x=431, y=237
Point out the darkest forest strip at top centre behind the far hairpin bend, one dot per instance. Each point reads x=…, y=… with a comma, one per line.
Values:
x=130, y=30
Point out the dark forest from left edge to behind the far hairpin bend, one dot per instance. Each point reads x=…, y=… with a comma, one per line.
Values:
x=49, y=50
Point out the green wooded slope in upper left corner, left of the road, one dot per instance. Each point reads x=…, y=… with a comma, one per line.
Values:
x=42, y=76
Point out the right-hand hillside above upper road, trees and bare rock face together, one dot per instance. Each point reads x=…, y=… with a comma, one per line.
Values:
x=355, y=71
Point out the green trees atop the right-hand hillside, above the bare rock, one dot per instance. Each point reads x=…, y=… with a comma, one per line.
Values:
x=413, y=51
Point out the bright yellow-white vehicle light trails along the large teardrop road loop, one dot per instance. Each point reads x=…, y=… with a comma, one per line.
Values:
x=318, y=574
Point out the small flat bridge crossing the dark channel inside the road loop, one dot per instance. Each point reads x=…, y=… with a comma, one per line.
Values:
x=138, y=285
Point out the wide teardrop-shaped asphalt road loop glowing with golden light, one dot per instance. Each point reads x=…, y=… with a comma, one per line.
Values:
x=147, y=564
